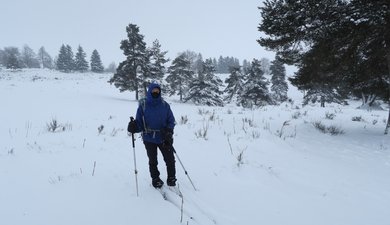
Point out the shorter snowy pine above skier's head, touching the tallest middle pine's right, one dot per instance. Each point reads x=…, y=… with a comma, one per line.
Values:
x=156, y=60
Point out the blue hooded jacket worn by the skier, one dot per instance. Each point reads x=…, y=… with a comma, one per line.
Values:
x=154, y=115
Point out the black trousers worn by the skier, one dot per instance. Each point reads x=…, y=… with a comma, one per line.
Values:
x=169, y=158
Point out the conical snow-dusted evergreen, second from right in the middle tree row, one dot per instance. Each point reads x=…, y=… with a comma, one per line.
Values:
x=255, y=91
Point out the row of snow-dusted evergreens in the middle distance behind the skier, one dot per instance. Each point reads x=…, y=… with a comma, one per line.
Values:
x=196, y=80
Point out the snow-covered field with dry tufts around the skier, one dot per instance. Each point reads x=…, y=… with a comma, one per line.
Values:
x=269, y=166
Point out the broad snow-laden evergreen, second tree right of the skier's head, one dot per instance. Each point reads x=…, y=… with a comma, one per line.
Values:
x=204, y=89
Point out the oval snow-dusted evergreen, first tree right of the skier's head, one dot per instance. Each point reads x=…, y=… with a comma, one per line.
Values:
x=180, y=75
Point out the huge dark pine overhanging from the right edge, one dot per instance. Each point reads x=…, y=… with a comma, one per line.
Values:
x=355, y=34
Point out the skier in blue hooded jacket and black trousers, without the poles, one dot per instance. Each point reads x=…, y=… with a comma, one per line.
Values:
x=155, y=120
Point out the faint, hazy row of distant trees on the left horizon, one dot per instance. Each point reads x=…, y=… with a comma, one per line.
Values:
x=66, y=61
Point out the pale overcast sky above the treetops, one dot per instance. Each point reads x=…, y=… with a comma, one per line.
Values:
x=211, y=27
